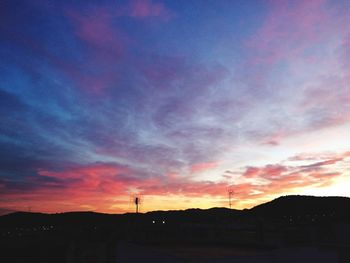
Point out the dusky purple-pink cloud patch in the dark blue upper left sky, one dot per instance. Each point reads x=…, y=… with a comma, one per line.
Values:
x=105, y=46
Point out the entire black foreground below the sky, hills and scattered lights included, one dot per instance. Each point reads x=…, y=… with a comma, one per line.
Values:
x=287, y=229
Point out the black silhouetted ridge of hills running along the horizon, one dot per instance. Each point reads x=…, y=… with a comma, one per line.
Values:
x=293, y=205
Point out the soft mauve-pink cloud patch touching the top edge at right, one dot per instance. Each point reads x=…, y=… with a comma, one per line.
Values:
x=289, y=29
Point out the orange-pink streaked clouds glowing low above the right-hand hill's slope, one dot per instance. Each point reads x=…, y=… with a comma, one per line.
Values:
x=265, y=182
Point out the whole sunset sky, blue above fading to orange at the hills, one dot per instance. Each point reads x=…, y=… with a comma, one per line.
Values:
x=178, y=102
